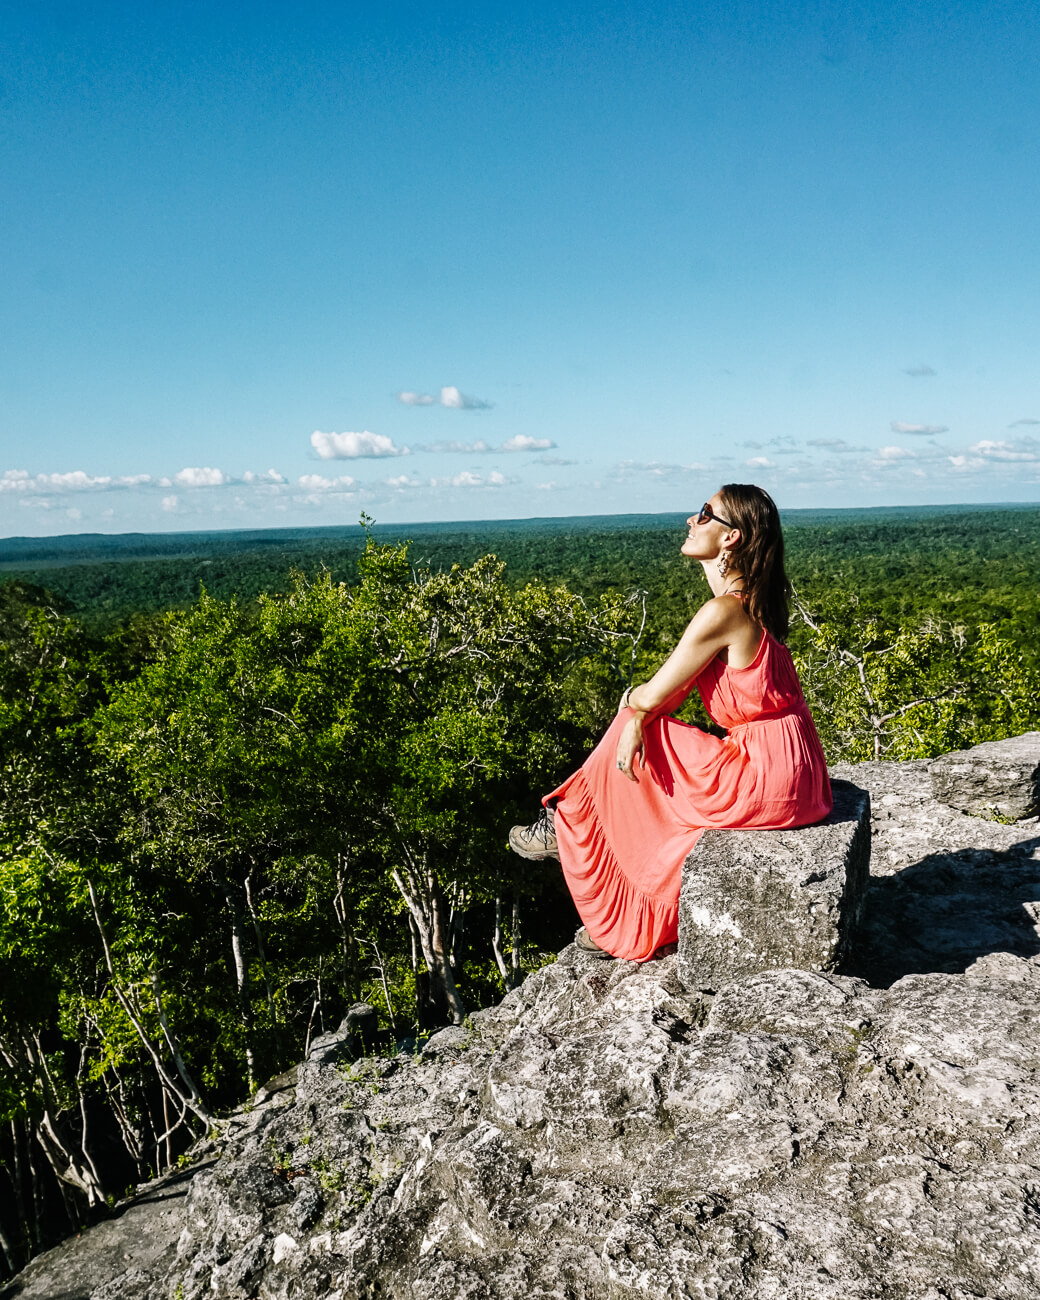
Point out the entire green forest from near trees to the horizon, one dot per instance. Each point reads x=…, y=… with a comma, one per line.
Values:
x=249, y=781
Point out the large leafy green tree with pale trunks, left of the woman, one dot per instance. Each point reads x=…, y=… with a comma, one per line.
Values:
x=336, y=744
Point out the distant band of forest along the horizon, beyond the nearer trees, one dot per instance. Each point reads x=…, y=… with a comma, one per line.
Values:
x=960, y=564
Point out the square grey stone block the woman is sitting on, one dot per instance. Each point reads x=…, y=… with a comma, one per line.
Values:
x=762, y=900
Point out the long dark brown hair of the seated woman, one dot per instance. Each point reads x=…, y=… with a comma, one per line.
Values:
x=760, y=556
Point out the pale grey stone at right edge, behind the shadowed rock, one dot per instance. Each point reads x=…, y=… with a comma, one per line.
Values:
x=999, y=779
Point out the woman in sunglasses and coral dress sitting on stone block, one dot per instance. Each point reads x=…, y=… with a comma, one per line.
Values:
x=625, y=824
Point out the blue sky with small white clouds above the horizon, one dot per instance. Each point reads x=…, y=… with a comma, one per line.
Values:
x=279, y=265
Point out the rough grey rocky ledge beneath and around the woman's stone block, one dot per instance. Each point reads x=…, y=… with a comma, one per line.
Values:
x=603, y=1133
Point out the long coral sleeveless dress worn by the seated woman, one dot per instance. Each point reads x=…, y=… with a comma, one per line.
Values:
x=623, y=844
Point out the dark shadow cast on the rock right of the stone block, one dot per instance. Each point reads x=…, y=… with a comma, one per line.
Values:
x=947, y=912
